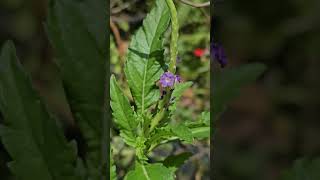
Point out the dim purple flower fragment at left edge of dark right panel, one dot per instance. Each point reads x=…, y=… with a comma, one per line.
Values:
x=218, y=53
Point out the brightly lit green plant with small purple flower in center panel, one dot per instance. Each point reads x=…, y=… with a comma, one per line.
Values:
x=147, y=123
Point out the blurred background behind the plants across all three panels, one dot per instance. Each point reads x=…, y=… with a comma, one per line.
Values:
x=270, y=125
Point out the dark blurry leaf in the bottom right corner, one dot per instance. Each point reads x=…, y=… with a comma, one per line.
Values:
x=303, y=169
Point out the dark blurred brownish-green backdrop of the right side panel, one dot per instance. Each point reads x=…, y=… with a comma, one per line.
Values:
x=277, y=120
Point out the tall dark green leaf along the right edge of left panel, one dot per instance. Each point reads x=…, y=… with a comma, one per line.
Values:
x=78, y=34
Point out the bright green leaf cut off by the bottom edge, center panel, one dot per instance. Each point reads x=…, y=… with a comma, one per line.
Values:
x=150, y=172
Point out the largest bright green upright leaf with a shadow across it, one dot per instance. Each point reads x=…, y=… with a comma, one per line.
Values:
x=144, y=61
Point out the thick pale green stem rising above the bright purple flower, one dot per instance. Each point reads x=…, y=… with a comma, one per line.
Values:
x=174, y=36
